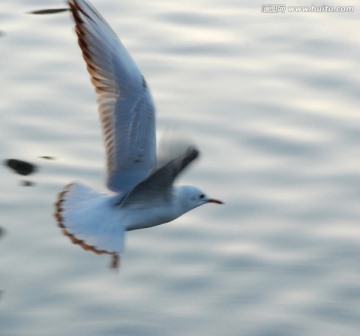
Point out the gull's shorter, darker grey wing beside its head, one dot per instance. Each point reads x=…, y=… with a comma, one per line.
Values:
x=158, y=186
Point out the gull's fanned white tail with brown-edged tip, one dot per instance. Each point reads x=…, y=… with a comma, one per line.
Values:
x=89, y=219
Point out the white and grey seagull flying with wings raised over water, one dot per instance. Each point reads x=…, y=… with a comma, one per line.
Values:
x=141, y=192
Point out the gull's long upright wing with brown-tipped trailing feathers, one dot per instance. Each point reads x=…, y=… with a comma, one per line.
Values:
x=126, y=108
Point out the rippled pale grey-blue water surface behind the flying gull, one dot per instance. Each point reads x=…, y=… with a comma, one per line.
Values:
x=272, y=101
